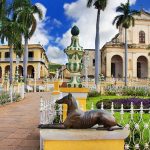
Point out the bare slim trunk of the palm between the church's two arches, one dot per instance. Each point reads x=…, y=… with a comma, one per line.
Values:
x=126, y=58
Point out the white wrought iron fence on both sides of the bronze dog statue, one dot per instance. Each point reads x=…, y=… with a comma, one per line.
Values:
x=136, y=120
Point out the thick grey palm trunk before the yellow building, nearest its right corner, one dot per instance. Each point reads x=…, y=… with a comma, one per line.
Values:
x=25, y=60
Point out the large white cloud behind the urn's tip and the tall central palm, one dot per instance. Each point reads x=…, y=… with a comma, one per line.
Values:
x=85, y=19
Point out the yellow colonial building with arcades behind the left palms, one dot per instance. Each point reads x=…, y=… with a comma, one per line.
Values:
x=37, y=62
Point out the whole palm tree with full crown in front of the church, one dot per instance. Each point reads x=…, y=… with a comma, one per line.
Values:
x=125, y=19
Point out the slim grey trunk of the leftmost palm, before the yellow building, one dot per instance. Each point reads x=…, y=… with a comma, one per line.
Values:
x=11, y=64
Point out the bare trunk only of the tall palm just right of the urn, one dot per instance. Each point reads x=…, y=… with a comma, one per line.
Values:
x=97, y=50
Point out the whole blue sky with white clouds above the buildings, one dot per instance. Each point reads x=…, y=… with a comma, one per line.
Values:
x=60, y=15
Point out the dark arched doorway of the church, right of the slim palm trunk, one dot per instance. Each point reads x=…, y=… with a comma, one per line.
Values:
x=142, y=67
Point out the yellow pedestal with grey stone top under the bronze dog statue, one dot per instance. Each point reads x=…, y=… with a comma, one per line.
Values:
x=87, y=139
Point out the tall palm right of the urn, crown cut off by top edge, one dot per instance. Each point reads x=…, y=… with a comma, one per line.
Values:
x=99, y=5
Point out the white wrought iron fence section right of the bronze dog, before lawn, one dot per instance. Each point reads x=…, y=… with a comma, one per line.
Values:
x=137, y=121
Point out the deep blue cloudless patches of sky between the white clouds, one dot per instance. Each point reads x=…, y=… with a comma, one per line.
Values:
x=55, y=10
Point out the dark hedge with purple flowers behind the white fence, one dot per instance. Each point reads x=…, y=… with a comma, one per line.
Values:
x=126, y=102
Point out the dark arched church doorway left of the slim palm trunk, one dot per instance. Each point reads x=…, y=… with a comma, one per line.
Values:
x=117, y=66
